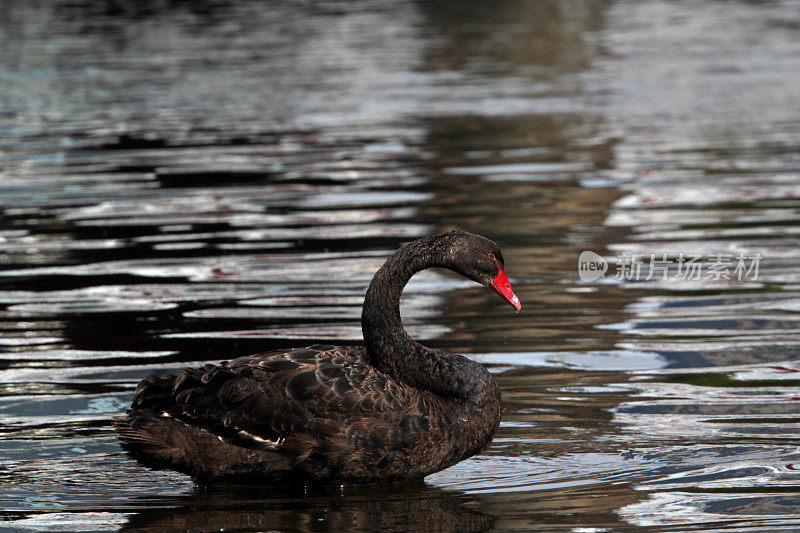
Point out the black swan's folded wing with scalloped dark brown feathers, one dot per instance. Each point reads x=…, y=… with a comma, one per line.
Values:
x=318, y=399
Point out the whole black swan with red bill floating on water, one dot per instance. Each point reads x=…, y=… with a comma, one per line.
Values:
x=390, y=410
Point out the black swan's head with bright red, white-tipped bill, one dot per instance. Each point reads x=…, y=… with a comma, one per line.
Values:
x=479, y=259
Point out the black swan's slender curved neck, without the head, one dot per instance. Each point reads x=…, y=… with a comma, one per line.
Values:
x=392, y=350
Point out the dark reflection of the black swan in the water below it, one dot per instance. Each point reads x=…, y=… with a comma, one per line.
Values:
x=390, y=507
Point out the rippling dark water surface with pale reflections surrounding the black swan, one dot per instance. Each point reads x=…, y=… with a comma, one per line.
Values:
x=195, y=181
